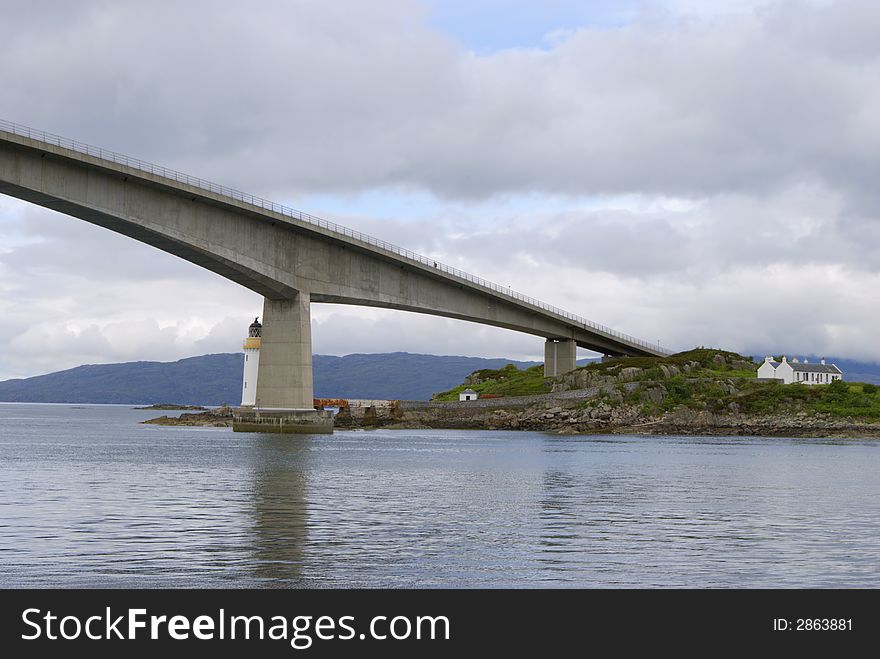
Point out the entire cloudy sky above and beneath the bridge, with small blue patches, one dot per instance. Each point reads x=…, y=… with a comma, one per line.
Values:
x=694, y=176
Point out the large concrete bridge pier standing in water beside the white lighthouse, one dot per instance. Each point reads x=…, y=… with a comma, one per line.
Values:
x=285, y=397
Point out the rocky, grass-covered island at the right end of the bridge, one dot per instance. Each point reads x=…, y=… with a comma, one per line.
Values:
x=700, y=392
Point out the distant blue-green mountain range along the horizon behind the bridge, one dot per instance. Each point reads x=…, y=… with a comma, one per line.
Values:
x=216, y=379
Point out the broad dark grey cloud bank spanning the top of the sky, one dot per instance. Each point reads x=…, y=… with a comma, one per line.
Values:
x=349, y=96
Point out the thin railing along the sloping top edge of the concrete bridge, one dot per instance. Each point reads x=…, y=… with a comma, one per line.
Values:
x=180, y=177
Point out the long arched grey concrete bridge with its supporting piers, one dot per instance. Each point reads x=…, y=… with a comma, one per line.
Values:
x=291, y=258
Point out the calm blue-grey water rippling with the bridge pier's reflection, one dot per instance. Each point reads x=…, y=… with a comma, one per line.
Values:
x=89, y=497
